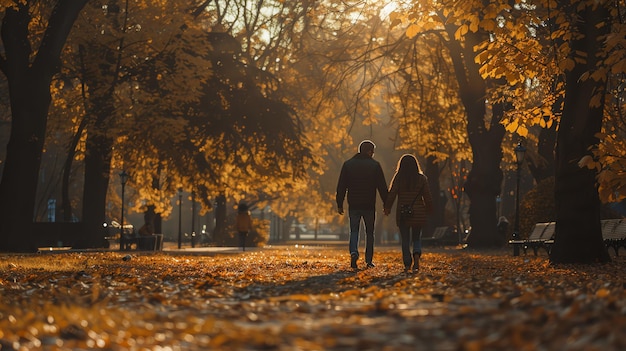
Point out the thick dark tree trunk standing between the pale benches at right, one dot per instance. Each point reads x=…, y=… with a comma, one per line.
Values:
x=578, y=235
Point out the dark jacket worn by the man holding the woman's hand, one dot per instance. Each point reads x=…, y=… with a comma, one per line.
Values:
x=360, y=177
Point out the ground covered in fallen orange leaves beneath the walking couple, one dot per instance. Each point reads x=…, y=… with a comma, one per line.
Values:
x=307, y=298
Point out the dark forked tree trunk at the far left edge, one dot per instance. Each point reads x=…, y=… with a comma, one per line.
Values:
x=29, y=92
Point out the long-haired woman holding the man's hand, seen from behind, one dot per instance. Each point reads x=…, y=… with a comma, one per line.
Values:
x=410, y=185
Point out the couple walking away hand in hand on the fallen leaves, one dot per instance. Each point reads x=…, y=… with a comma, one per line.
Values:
x=361, y=177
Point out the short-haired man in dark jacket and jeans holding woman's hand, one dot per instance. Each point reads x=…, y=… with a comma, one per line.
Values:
x=360, y=177
